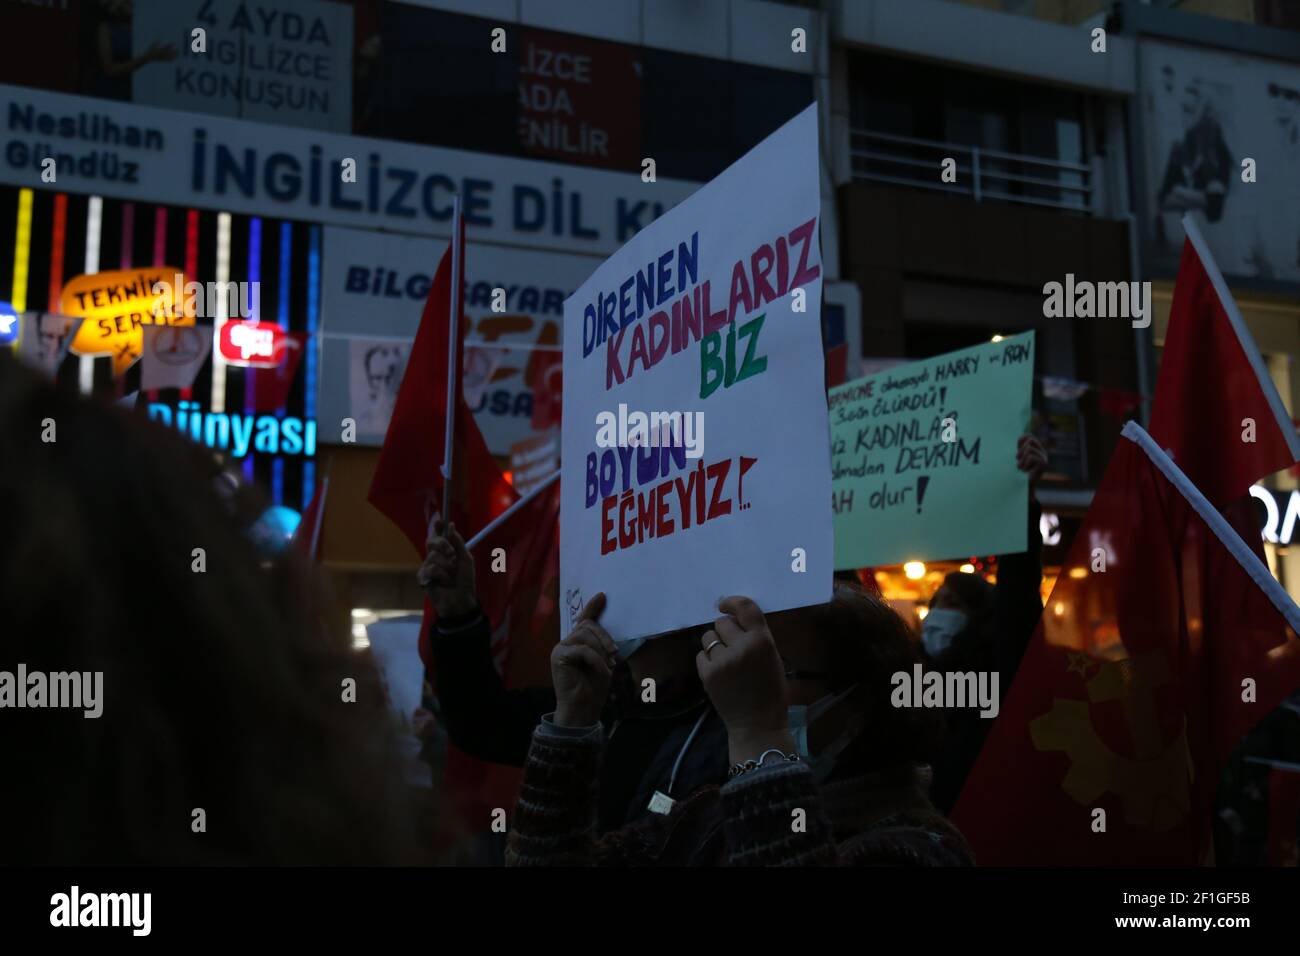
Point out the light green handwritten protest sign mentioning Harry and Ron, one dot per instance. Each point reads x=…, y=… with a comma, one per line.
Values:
x=924, y=457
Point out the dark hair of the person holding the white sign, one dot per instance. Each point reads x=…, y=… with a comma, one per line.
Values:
x=869, y=643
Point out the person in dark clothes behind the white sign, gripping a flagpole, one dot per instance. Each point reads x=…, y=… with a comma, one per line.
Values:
x=660, y=750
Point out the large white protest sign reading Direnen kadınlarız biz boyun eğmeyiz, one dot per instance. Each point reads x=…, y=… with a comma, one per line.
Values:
x=696, y=440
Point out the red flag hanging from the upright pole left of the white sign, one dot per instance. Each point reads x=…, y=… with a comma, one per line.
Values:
x=409, y=486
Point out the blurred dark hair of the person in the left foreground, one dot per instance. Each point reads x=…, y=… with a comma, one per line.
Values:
x=222, y=690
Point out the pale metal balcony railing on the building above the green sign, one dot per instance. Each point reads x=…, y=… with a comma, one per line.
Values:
x=982, y=175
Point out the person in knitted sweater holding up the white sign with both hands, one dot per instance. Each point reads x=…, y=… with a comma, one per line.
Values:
x=824, y=771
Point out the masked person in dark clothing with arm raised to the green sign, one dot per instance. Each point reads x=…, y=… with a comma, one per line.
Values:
x=976, y=626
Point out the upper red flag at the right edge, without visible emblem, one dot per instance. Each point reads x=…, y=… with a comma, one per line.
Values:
x=1216, y=409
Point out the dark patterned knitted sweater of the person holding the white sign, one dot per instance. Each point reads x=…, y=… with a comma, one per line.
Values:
x=775, y=816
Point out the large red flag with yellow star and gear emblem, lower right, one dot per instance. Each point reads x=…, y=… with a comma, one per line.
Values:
x=1137, y=684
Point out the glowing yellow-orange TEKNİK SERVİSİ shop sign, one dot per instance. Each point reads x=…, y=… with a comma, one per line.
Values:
x=116, y=308
